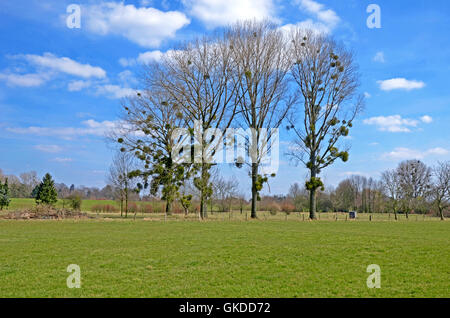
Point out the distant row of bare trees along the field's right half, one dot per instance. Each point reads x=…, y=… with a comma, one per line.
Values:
x=412, y=187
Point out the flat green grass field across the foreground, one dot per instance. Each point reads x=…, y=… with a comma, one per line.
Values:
x=125, y=258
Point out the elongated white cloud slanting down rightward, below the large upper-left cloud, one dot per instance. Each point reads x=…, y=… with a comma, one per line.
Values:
x=64, y=65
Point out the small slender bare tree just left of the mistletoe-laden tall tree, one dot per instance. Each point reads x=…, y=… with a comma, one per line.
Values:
x=119, y=178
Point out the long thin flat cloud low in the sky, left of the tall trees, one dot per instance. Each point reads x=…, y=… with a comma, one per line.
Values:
x=89, y=127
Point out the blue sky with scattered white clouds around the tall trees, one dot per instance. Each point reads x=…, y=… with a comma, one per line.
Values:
x=60, y=87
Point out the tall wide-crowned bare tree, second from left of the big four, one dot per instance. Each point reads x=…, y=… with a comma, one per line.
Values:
x=199, y=77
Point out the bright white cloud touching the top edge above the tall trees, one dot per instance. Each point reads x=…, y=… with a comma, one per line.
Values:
x=223, y=12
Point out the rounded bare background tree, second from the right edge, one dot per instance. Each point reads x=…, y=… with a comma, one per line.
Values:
x=414, y=179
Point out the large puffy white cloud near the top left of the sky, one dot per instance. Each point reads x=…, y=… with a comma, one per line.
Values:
x=147, y=27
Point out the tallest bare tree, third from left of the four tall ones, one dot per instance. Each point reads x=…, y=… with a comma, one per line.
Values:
x=259, y=51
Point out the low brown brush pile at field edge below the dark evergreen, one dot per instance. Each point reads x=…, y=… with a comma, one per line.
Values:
x=45, y=213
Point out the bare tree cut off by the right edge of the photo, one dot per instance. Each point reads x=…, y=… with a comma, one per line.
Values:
x=441, y=187
